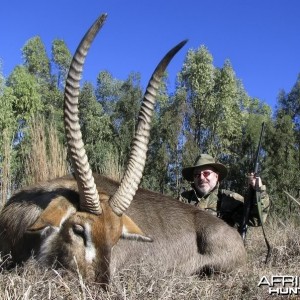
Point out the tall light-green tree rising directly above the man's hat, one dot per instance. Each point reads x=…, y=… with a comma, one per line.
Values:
x=214, y=117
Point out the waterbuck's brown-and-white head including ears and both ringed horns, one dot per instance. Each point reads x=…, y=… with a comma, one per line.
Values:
x=80, y=225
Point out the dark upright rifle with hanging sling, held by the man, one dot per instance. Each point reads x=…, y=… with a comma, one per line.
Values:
x=253, y=197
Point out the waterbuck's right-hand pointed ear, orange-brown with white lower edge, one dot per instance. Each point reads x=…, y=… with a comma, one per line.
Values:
x=131, y=231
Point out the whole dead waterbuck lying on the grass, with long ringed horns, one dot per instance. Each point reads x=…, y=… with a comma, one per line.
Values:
x=79, y=220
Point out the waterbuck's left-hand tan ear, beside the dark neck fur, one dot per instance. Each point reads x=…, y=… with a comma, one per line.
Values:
x=57, y=211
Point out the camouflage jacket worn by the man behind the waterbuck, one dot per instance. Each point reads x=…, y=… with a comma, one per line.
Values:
x=228, y=205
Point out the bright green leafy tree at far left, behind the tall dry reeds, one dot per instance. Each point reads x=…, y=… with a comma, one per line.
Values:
x=22, y=100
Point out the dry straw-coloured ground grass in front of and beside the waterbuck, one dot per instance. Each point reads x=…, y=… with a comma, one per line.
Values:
x=35, y=282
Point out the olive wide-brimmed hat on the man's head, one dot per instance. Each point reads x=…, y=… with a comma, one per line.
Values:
x=201, y=161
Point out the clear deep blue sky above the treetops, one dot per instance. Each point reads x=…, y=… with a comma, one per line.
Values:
x=259, y=37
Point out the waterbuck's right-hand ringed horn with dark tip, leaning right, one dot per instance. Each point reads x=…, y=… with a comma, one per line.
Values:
x=121, y=200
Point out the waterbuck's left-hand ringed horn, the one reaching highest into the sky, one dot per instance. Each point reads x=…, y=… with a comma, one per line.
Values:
x=89, y=198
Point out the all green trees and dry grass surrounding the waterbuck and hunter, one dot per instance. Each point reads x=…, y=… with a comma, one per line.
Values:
x=209, y=111
